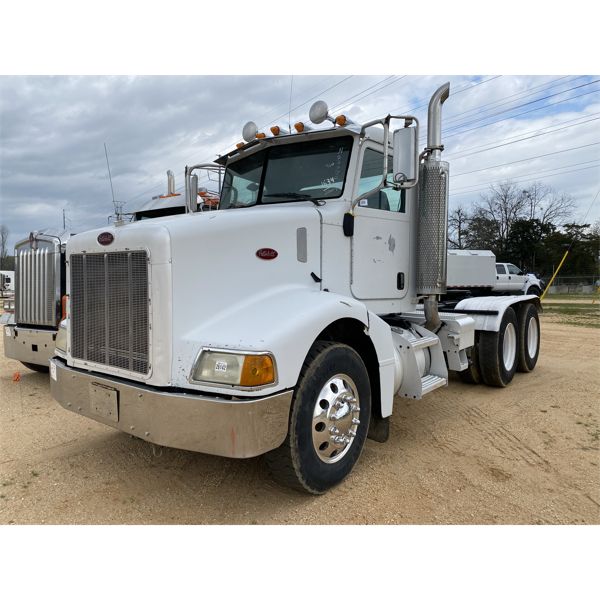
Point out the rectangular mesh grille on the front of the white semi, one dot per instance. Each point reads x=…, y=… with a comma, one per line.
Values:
x=109, y=309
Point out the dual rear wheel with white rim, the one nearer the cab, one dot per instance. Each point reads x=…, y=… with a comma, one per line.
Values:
x=498, y=351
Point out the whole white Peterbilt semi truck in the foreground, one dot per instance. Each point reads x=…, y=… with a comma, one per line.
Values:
x=286, y=322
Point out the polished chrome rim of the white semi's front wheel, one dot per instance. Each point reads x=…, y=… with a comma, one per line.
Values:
x=335, y=418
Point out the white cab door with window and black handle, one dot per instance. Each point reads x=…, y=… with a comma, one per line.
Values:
x=381, y=241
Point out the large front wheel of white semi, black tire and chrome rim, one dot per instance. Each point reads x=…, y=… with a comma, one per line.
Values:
x=329, y=420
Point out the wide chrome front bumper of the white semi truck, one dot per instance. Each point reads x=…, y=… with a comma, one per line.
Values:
x=233, y=428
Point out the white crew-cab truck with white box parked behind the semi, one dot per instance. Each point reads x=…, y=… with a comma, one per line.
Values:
x=477, y=272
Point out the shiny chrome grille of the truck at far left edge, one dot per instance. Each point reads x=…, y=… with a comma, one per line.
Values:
x=37, y=284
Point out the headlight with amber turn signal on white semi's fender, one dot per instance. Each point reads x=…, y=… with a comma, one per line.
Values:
x=245, y=370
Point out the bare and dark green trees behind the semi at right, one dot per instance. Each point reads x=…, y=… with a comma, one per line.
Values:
x=531, y=227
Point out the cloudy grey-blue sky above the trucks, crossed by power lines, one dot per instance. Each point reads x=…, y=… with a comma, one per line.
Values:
x=53, y=131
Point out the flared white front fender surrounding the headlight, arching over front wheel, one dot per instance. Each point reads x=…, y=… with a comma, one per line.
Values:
x=284, y=321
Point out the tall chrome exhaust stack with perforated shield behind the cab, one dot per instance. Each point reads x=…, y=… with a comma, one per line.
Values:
x=433, y=214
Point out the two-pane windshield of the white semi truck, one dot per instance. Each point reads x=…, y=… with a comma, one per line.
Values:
x=313, y=170
